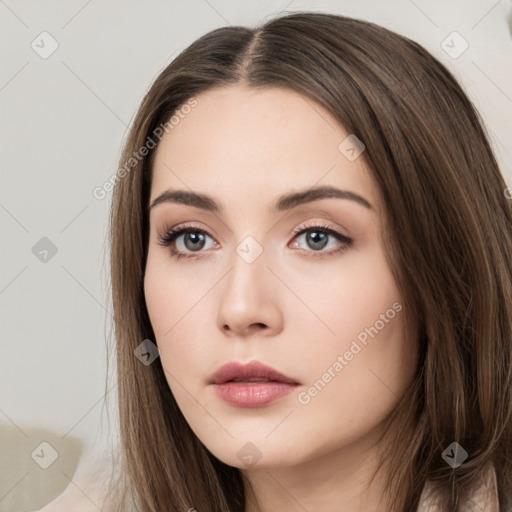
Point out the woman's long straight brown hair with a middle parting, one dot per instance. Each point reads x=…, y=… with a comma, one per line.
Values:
x=448, y=242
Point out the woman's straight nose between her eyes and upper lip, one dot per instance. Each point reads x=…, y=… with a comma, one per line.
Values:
x=249, y=299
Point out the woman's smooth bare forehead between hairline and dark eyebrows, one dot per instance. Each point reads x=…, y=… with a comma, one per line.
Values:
x=256, y=143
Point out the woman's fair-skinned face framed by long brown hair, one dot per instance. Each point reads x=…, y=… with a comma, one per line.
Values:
x=301, y=286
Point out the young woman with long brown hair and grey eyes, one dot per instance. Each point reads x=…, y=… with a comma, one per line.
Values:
x=310, y=225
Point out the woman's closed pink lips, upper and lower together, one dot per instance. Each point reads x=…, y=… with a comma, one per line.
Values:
x=250, y=392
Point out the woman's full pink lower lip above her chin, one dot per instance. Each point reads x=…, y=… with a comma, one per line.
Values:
x=252, y=394
